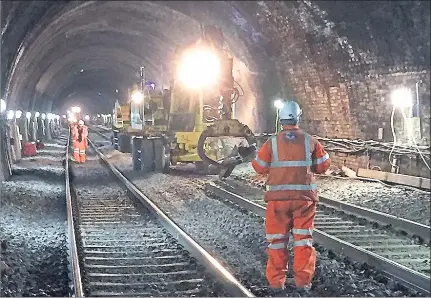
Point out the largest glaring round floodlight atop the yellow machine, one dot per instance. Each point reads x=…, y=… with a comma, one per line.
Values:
x=199, y=67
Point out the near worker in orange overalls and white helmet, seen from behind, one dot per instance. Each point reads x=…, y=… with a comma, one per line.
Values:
x=290, y=158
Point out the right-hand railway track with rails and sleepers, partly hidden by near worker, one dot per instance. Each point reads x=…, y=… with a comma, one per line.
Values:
x=350, y=230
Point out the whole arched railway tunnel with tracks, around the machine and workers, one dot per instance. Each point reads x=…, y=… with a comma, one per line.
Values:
x=359, y=70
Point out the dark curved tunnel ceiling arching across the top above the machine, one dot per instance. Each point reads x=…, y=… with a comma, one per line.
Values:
x=52, y=49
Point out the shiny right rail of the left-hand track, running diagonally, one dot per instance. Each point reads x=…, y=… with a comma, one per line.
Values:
x=230, y=283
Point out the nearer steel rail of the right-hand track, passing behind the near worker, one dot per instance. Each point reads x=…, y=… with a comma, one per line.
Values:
x=400, y=273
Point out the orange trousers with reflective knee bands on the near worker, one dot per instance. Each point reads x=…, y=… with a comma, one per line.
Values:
x=284, y=218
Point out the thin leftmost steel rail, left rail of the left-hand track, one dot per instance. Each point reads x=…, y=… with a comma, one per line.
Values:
x=75, y=271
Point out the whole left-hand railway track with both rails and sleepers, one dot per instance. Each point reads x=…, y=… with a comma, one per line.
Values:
x=123, y=245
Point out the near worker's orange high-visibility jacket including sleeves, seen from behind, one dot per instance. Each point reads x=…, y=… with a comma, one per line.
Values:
x=290, y=158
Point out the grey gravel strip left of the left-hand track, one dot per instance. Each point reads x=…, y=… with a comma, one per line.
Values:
x=33, y=226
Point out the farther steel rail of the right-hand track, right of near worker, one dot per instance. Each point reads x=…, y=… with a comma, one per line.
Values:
x=411, y=227
